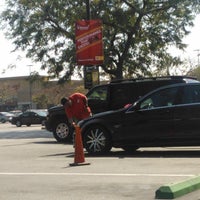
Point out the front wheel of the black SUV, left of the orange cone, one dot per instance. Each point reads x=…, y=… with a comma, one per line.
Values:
x=61, y=132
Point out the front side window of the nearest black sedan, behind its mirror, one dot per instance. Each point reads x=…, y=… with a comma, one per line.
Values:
x=161, y=98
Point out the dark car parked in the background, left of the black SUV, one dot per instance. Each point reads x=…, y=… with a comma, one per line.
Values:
x=29, y=117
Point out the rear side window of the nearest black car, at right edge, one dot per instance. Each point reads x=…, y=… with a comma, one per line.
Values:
x=191, y=94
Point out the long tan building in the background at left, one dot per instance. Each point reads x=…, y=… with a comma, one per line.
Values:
x=26, y=92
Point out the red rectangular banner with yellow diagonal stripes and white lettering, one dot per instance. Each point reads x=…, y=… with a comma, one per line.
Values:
x=89, y=44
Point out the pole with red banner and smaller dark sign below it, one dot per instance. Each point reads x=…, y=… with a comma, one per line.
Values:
x=89, y=47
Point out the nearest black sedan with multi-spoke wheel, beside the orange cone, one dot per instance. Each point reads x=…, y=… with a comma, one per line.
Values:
x=168, y=116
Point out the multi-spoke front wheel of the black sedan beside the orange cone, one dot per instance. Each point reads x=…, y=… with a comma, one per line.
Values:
x=97, y=140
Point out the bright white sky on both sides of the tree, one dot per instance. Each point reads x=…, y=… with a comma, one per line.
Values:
x=24, y=66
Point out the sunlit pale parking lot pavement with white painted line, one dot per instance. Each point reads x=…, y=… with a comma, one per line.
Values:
x=35, y=166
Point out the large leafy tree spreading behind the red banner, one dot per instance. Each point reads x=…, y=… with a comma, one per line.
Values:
x=137, y=33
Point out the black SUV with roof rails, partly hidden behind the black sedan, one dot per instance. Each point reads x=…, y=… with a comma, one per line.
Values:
x=111, y=96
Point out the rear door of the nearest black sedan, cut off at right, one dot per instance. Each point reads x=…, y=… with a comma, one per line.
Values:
x=187, y=116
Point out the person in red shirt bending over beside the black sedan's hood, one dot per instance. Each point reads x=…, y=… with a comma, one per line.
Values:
x=76, y=107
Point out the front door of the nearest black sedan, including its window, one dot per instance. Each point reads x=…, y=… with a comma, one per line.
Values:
x=152, y=119
